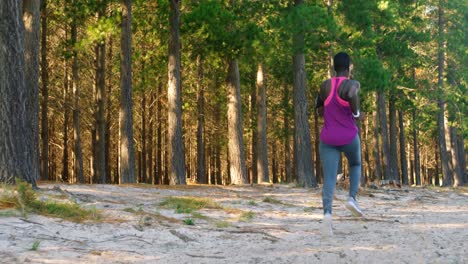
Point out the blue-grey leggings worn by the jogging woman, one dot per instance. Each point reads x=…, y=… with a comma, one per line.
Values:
x=330, y=156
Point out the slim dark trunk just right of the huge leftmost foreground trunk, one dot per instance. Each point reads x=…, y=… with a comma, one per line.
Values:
x=45, y=95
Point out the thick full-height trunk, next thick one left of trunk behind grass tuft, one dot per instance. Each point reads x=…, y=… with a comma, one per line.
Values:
x=127, y=156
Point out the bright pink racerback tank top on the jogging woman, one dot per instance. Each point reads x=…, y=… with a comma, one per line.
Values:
x=339, y=128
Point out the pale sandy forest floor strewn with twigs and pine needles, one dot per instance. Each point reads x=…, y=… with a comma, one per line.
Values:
x=245, y=224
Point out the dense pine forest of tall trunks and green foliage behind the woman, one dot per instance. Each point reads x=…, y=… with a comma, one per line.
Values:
x=221, y=92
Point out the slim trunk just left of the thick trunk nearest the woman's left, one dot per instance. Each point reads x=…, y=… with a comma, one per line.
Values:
x=286, y=129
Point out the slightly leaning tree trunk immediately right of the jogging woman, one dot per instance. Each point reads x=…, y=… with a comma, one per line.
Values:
x=384, y=134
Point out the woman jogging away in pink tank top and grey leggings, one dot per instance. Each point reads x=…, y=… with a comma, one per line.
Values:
x=338, y=103
